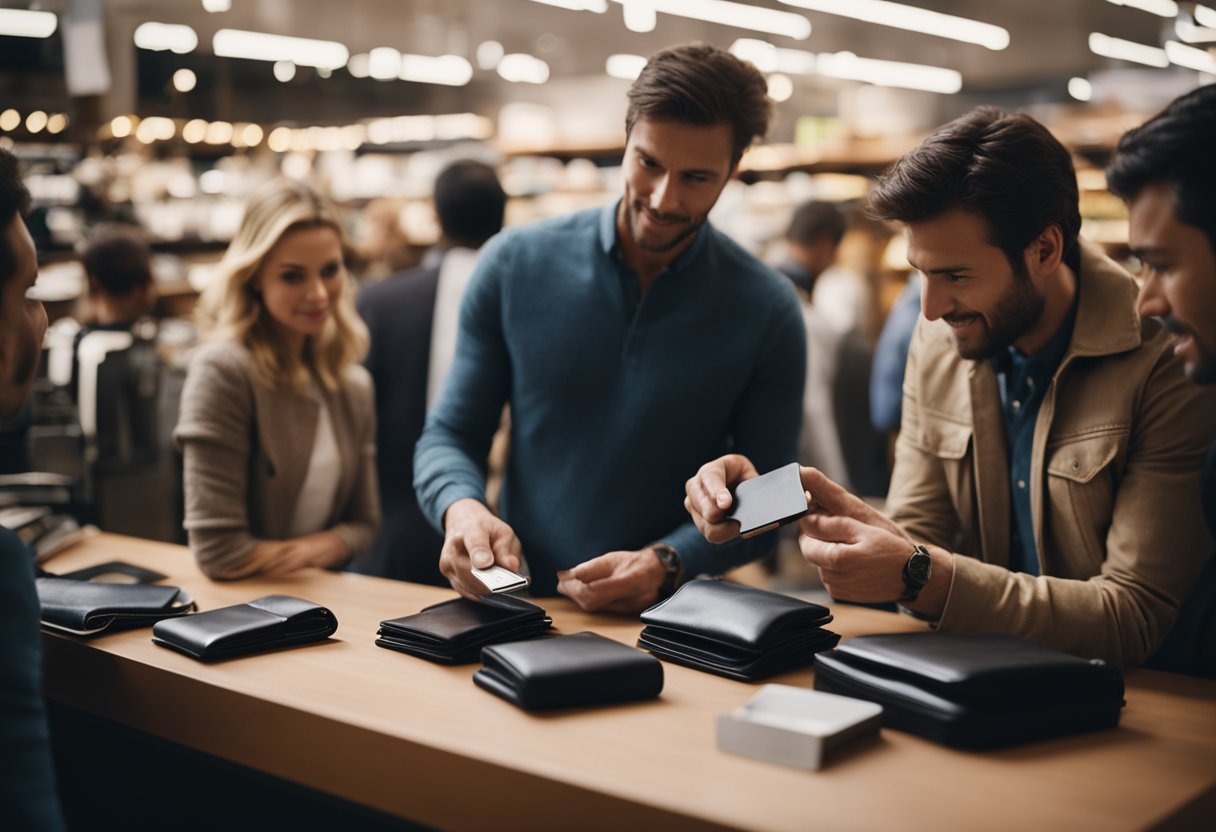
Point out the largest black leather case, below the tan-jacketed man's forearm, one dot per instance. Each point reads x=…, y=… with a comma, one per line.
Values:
x=975, y=692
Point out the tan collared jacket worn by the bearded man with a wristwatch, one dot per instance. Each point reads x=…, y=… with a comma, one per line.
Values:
x=1116, y=463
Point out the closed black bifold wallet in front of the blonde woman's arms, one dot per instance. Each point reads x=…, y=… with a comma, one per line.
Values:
x=268, y=623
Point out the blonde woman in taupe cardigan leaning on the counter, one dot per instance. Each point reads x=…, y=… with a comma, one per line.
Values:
x=278, y=423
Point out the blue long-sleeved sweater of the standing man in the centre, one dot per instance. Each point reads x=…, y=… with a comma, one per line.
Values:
x=617, y=398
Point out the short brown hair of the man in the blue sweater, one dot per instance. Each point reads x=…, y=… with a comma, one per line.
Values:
x=702, y=86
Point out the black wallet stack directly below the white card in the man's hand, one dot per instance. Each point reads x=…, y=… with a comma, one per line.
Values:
x=455, y=632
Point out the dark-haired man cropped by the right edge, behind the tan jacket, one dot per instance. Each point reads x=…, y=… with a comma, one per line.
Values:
x=1167, y=173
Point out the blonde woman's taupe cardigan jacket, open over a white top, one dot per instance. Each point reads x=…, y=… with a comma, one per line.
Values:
x=246, y=453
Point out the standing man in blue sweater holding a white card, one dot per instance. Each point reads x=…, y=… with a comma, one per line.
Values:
x=632, y=342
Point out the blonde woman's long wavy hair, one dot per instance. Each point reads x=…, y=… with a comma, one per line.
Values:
x=232, y=308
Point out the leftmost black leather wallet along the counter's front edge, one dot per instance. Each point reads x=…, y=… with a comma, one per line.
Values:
x=82, y=608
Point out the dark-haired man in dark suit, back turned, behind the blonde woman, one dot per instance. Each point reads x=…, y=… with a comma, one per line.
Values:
x=412, y=318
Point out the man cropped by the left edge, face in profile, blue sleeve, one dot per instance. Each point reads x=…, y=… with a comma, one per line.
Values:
x=27, y=778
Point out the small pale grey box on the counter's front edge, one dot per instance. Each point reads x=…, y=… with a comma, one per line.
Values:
x=797, y=727
